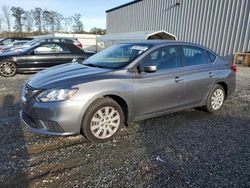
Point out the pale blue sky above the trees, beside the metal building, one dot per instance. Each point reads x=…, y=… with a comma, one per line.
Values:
x=92, y=11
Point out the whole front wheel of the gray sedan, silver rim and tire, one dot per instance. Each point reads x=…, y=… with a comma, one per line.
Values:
x=103, y=120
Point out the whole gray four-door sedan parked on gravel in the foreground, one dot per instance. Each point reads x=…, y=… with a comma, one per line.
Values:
x=123, y=83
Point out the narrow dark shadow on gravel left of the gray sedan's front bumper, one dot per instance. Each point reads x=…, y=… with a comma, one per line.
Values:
x=14, y=155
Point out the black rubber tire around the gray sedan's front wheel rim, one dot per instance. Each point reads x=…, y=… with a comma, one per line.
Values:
x=91, y=112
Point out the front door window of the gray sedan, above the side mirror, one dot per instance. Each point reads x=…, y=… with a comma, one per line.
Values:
x=163, y=58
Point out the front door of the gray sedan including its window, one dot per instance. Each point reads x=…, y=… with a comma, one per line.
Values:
x=162, y=90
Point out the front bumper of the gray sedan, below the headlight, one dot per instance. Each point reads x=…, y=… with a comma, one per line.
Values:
x=57, y=118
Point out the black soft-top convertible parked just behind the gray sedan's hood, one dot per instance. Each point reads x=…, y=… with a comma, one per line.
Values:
x=40, y=56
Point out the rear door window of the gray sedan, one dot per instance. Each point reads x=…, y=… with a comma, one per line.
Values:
x=194, y=56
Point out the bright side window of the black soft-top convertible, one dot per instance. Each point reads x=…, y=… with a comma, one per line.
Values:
x=50, y=48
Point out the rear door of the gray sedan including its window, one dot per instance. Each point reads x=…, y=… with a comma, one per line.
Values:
x=198, y=74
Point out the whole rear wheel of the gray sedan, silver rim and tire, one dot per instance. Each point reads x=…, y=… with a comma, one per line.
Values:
x=215, y=99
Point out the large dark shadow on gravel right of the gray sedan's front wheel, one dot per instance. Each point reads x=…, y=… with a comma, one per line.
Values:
x=194, y=148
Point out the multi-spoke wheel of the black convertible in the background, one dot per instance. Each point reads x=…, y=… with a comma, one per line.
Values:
x=8, y=68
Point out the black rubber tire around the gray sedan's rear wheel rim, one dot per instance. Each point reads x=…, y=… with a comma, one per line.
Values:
x=209, y=107
